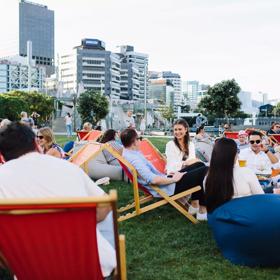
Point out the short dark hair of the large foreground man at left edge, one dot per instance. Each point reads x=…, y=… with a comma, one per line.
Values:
x=16, y=140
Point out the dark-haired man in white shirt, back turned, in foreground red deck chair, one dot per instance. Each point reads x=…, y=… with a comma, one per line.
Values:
x=29, y=174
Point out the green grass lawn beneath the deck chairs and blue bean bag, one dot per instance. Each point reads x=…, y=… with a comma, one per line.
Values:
x=162, y=244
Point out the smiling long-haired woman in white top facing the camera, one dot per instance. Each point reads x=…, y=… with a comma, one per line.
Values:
x=180, y=155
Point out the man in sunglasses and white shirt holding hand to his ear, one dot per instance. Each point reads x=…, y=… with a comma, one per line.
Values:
x=258, y=157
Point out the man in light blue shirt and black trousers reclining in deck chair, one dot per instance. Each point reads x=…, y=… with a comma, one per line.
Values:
x=148, y=174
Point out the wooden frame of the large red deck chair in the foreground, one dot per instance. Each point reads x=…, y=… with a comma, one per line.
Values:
x=35, y=206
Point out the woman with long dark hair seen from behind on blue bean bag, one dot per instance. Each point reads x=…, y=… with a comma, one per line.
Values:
x=225, y=179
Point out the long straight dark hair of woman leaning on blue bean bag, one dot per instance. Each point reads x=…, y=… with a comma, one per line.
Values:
x=219, y=181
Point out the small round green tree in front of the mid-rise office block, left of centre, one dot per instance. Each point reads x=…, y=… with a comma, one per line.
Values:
x=93, y=106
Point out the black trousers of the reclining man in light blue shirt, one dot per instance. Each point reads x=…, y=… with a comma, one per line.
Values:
x=194, y=177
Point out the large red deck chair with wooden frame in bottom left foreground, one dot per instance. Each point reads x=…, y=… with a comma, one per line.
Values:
x=55, y=238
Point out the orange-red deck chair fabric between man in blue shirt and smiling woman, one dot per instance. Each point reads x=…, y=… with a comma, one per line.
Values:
x=153, y=155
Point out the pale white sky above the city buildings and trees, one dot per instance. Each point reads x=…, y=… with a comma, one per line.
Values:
x=204, y=40
